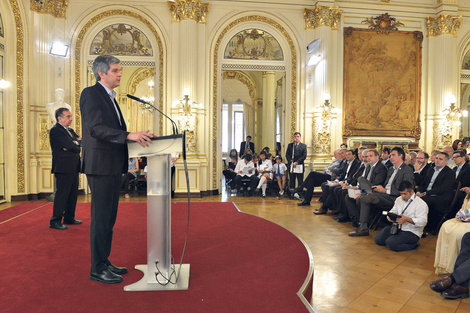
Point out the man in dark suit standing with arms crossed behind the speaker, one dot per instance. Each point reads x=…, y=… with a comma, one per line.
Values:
x=65, y=166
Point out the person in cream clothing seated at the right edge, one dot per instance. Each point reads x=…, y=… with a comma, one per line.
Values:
x=449, y=239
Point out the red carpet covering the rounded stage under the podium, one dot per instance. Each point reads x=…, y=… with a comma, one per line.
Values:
x=239, y=263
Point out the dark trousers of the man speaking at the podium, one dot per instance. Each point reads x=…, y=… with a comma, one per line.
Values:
x=105, y=192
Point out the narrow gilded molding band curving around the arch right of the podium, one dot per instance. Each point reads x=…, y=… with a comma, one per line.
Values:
x=215, y=76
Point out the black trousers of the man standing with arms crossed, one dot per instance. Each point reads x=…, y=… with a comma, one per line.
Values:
x=65, y=199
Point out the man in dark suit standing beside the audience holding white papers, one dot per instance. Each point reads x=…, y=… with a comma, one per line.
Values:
x=296, y=154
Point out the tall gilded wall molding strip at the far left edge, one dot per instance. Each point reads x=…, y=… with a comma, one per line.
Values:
x=20, y=165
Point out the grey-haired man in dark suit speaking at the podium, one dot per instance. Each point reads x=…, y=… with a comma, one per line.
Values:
x=104, y=160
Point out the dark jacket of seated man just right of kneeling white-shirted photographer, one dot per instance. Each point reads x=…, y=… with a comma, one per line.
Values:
x=443, y=185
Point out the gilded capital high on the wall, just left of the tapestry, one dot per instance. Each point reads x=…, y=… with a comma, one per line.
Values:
x=322, y=15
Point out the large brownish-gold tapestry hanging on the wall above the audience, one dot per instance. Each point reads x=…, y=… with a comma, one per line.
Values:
x=382, y=83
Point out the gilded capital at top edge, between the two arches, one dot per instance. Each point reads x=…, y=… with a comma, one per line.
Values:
x=188, y=10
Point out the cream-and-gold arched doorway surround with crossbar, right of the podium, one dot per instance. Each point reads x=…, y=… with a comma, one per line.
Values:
x=288, y=66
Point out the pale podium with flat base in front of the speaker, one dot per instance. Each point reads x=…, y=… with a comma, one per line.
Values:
x=159, y=272
